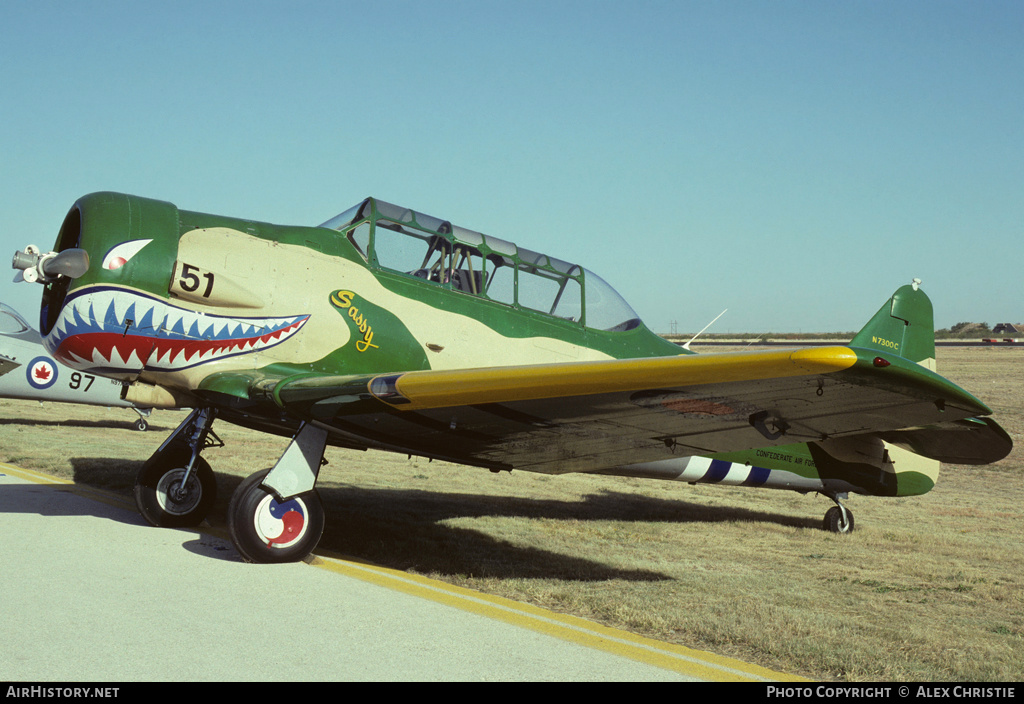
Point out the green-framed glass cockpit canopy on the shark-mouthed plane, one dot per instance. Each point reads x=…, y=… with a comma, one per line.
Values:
x=404, y=241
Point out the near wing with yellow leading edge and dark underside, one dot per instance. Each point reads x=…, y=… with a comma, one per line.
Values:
x=586, y=416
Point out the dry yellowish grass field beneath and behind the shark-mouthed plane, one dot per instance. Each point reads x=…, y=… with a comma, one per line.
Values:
x=927, y=589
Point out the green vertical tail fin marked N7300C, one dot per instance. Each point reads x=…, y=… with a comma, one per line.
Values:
x=905, y=326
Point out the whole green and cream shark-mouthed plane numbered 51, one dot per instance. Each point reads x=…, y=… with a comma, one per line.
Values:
x=388, y=329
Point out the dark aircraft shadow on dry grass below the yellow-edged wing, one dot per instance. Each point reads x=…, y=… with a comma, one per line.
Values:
x=406, y=530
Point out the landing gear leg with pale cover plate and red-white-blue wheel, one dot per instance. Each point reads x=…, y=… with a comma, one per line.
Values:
x=276, y=515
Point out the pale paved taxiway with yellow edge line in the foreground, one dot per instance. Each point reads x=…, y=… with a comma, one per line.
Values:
x=91, y=593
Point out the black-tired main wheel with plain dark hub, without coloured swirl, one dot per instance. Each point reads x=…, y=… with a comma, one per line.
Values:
x=158, y=480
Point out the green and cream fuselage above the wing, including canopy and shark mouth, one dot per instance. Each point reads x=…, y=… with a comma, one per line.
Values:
x=181, y=295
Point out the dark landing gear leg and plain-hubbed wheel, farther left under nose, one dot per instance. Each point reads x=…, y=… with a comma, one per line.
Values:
x=177, y=487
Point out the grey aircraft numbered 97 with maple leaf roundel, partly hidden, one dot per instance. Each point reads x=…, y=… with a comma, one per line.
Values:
x=28, y=372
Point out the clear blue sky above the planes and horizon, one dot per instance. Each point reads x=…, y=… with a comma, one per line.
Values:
x=793, y=162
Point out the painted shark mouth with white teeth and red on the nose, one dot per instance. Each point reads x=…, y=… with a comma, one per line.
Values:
x=107, y=329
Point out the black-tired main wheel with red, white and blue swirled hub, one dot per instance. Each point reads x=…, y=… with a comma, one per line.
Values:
x=266, y=531
